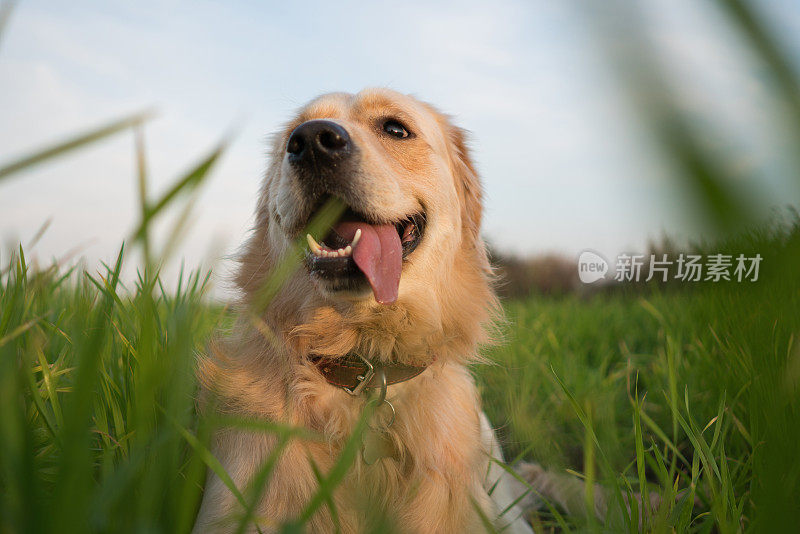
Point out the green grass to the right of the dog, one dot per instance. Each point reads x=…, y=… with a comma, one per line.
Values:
x=687, y=392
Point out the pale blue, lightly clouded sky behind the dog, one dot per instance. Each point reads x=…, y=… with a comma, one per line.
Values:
x=565, y=163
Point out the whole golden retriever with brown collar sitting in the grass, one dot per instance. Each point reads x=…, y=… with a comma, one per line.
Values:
x=388, y=307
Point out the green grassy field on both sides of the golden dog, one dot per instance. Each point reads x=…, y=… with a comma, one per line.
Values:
x=691, y=394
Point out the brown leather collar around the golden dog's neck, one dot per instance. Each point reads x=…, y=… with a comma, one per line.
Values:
x=354, y=373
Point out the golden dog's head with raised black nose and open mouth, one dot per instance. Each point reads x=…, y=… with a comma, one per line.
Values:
x=406, y=256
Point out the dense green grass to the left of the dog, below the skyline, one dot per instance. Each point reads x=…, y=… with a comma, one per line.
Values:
x=96, y=382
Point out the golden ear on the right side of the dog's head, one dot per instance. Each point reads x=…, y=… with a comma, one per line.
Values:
x=468, y=183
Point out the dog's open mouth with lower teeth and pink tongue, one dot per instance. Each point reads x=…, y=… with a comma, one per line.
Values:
x=357, y=249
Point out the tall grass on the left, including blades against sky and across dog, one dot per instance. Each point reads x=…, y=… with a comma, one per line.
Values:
x=100, y=430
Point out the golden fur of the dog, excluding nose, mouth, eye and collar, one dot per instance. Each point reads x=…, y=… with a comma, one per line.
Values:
x=444, y=312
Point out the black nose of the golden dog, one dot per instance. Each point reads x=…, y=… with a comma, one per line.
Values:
x=320, y=141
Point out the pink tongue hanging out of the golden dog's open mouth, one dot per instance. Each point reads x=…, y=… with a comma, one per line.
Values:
x=378, y=254
